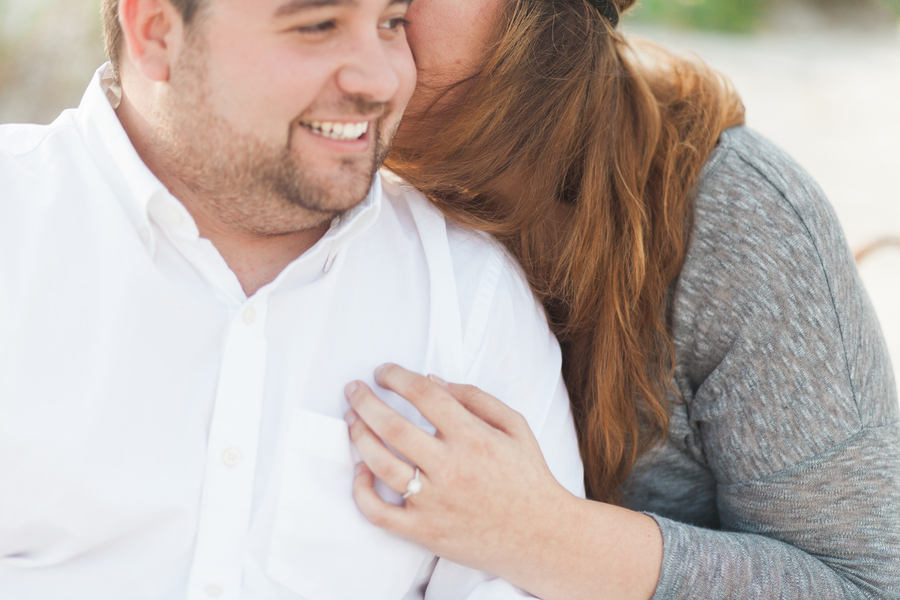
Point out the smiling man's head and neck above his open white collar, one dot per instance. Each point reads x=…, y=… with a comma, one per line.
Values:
x=265, y=119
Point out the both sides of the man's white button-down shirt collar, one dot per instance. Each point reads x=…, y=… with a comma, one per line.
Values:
x=142, y=194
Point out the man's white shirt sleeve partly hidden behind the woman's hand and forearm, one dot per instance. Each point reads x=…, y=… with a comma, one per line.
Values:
x=512, y=355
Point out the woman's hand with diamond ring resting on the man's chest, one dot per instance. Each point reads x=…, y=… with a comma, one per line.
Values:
x=487, y=499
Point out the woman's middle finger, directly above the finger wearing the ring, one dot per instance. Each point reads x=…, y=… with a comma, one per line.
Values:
x=408, y=439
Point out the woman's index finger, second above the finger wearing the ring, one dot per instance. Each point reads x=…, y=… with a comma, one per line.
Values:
x=432, y=400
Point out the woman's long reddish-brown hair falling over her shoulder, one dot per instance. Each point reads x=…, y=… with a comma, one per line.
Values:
x=580, y=154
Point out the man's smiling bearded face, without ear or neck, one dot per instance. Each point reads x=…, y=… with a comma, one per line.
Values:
x=280, y=111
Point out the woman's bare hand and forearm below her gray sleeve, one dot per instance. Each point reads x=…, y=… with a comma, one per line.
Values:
x=488, y=500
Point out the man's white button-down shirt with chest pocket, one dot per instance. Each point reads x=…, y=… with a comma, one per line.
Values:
x=164, y=436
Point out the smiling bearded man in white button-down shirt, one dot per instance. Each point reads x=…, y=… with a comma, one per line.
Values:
x=193, y=264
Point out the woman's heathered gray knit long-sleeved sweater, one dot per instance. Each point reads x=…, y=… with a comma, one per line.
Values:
x=781, y=474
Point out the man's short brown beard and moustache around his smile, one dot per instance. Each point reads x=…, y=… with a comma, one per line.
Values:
x=250, y=185
